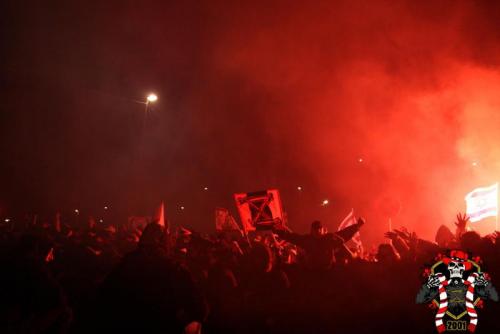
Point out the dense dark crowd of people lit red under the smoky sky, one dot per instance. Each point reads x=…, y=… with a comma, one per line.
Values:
x=127, y=279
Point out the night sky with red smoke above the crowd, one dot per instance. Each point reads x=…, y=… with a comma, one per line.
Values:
x=252, y=95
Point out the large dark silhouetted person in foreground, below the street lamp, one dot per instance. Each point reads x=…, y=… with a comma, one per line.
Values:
x=148, y=292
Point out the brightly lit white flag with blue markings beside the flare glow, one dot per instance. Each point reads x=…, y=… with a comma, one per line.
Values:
x=482, y=203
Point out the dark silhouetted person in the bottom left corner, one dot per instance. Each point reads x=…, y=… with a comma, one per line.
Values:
x=31, y=300
